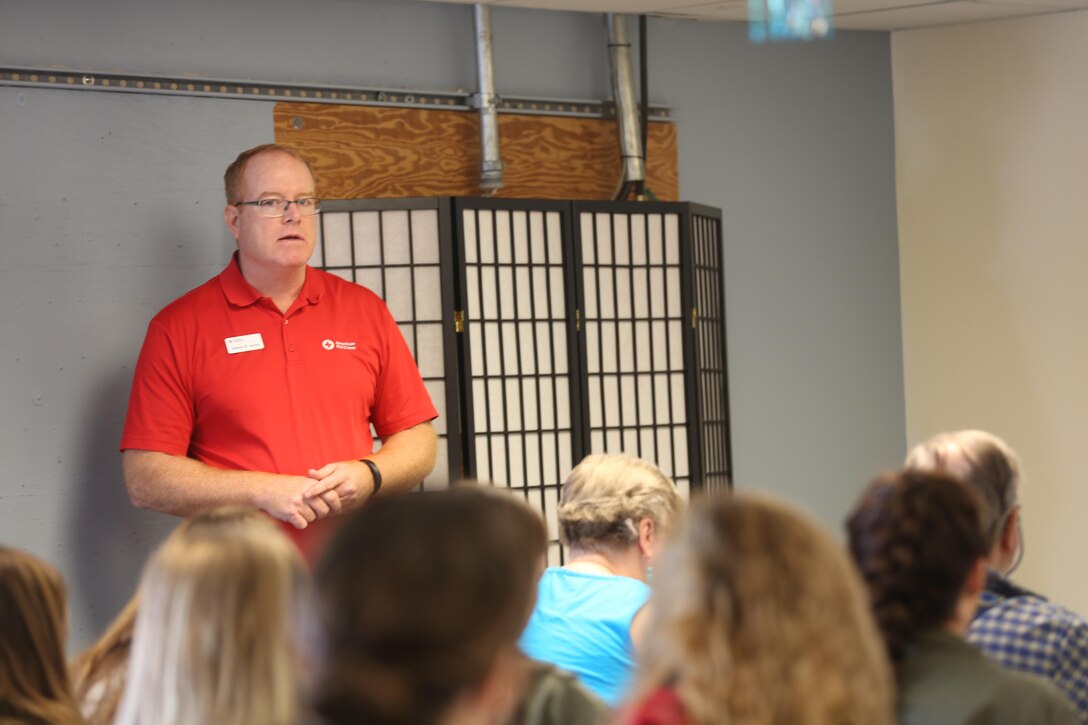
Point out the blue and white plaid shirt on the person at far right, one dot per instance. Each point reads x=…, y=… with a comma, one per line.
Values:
x=1022, y=631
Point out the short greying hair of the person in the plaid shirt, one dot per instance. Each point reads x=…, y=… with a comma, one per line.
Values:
x=984, y=462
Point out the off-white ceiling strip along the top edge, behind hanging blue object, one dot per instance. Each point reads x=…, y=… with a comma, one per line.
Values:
x=848, y=15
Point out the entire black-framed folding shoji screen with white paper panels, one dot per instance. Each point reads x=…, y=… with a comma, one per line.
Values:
x=566, y=328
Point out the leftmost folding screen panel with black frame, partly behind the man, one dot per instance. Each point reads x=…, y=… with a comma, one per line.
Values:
x=401, y=250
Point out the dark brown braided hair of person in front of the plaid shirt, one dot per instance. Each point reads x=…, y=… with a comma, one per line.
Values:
x=916, y=537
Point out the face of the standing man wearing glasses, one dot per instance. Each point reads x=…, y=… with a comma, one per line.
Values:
x=271, y=245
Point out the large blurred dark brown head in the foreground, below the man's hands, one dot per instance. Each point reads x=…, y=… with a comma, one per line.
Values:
x=419, y=596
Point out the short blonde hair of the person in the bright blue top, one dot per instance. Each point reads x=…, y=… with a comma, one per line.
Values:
x=607, y=496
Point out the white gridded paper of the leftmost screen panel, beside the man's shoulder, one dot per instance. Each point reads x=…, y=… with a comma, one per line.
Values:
x=397, y=254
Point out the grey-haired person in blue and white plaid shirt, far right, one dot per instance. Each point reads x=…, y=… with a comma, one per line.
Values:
x=1013, y=626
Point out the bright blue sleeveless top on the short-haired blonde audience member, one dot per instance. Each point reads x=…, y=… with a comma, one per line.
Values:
x=583, y=624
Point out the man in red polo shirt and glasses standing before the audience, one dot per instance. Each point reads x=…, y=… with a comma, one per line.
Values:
x=261, y=387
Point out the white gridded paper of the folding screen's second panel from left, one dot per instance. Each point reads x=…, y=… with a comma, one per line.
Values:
x=516, y=328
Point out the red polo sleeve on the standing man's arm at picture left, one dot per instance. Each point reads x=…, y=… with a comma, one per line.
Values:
x=160, y=407
